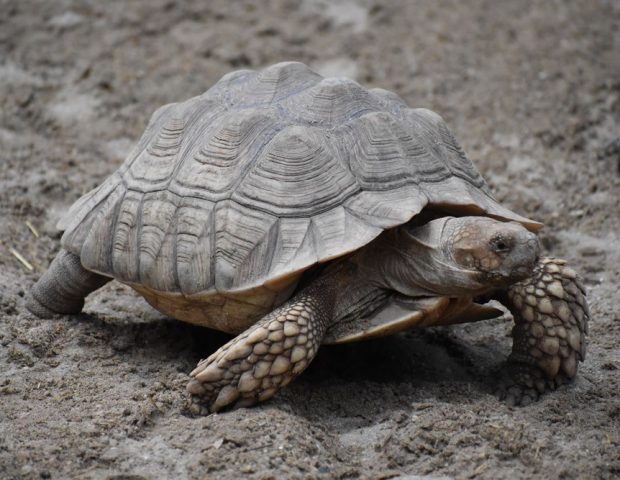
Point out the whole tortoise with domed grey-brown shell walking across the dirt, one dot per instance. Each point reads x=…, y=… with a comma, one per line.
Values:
x=294, y=210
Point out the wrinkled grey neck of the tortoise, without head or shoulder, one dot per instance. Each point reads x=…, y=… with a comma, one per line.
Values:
x=415, y=263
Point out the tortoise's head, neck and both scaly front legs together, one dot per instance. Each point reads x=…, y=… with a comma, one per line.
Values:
x=468, y=256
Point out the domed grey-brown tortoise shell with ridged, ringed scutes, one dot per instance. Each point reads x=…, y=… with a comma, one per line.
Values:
x=229, y=196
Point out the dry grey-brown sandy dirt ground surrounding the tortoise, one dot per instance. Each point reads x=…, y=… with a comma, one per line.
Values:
x=532, y=91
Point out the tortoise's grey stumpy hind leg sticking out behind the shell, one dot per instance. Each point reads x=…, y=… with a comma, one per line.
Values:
x=63, y=287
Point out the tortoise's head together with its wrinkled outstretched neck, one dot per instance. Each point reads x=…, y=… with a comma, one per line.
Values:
x=456, y=256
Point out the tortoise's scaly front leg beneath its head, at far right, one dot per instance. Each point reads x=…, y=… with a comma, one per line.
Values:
x=549, y=337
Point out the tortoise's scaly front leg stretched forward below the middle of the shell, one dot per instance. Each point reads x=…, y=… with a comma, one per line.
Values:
x=255, y=365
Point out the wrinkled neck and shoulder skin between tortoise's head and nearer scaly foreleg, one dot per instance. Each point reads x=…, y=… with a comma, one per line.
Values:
x=411, y=261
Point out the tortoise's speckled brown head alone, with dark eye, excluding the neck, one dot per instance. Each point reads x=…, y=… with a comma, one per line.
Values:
x=497, y=253
